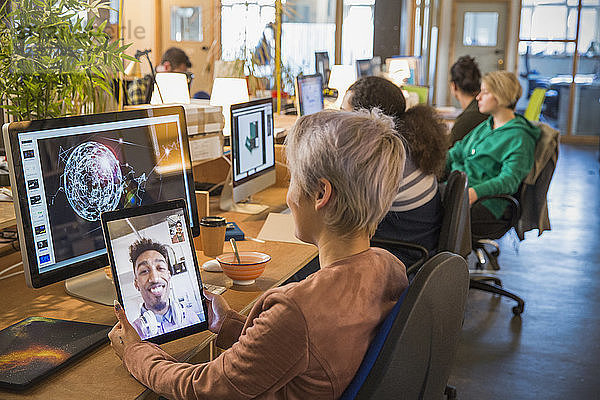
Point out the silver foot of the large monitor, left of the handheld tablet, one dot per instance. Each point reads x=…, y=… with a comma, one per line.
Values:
x=93, y=286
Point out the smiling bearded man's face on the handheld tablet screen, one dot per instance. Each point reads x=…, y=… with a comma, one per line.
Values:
x=152, y=279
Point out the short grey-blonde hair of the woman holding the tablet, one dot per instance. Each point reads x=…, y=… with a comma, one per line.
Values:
x=362, y=156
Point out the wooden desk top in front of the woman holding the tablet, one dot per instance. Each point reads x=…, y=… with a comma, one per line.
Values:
x=100, y=375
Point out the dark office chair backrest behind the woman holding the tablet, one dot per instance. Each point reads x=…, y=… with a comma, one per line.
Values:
x=411, y=355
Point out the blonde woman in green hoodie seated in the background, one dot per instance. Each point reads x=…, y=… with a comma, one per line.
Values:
x=498, y=153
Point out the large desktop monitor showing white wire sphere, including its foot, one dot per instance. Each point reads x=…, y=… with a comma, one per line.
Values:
x=65, y=172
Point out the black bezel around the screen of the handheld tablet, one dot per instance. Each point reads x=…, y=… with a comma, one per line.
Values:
x=174, y=205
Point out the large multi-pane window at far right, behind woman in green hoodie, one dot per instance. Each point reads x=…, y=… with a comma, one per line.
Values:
x=547, y=49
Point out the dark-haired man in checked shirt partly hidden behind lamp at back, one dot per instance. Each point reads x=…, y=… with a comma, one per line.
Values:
x=173, y=60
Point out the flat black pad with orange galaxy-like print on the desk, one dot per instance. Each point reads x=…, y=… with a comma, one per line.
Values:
x=35, y=347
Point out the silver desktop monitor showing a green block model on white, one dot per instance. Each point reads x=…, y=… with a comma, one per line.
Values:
x=252, y=155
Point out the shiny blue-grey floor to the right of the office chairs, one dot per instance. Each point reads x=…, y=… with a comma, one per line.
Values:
x=553, y=350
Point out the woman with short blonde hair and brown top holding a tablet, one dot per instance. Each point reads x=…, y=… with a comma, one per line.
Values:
x=345, y=169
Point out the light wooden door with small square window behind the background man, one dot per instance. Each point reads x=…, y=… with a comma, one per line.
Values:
x=190, y=25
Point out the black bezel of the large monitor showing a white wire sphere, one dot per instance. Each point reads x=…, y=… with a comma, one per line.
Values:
x=13, y=130
